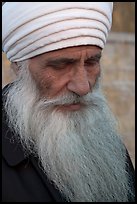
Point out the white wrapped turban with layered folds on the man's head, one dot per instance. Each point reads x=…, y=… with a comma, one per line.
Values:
x=33, y=28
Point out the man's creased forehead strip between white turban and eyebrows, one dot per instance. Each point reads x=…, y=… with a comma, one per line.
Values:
x=73, y=52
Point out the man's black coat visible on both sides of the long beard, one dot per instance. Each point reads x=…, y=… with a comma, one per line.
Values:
x=22, y=177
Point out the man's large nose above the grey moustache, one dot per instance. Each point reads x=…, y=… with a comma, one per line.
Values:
x=79, y=82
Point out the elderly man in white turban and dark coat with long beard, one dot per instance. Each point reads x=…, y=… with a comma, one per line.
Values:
x=60, y=140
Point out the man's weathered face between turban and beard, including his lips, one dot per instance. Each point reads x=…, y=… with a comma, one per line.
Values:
x=67, y=70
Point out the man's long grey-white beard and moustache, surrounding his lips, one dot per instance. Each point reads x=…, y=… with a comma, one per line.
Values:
x=79, y=151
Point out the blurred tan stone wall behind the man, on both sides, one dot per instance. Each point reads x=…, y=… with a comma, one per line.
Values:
x=118, y=71
